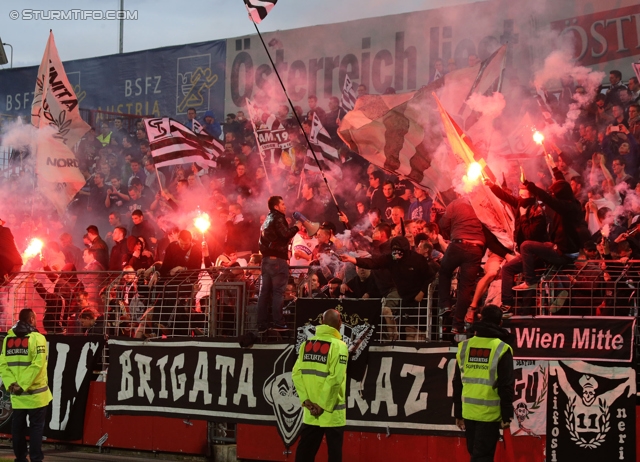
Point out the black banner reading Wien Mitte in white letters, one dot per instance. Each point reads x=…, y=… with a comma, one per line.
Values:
x=572, y=338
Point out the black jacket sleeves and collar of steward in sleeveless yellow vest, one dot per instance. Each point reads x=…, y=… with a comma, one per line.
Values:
x=506, y=378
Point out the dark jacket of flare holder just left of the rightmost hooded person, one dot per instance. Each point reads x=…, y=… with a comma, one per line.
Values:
x=532, y=226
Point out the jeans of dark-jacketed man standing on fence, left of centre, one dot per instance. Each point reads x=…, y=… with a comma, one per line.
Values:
x=273, y=281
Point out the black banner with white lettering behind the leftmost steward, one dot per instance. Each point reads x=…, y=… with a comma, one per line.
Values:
x=72, y=361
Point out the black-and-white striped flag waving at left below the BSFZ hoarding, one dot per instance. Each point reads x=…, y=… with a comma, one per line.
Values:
x=171, y=143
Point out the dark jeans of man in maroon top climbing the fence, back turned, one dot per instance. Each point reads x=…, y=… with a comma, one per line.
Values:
x=468, y=258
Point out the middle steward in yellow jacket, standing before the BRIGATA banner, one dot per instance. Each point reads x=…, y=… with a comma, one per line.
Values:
x=320, y=377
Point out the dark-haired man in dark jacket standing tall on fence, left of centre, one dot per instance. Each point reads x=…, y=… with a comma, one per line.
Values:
x=275, y=236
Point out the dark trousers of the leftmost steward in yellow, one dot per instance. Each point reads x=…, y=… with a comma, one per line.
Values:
x=19, y=433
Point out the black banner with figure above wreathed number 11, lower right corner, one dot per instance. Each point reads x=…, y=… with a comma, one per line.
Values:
x=591, y=414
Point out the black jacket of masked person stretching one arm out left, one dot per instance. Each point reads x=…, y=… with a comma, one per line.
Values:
x=411, y=274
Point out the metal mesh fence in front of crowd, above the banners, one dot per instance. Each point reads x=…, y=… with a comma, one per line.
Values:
x=223, y=302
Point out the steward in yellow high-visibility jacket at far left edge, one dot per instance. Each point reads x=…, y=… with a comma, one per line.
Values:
x=23, y=367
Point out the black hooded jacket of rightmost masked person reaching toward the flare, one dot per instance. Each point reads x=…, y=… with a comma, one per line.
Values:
x=567, y=223
